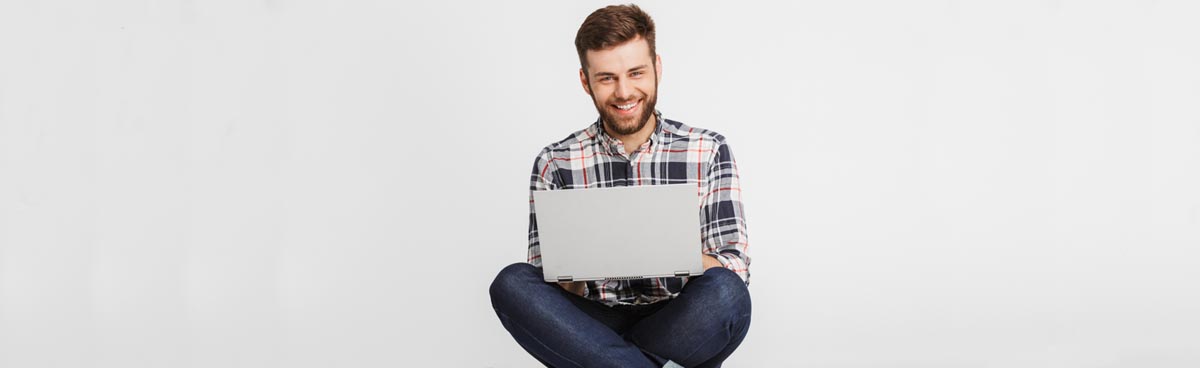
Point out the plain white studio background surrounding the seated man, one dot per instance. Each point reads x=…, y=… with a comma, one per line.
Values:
x=334, y=184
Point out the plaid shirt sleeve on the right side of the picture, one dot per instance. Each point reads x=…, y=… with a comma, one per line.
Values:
x=724, y=230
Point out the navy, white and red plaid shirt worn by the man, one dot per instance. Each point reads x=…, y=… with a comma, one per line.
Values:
x=675, y=154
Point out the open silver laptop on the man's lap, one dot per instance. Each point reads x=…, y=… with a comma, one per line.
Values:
x=620, y=233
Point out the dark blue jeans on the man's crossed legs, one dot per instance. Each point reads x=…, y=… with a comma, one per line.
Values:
x=700, y=328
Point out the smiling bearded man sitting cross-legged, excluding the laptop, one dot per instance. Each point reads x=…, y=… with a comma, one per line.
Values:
x=646, y=323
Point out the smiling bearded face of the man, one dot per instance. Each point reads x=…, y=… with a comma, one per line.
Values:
x=623, y=82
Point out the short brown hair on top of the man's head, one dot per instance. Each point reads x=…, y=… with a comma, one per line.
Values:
x=614, y=26
